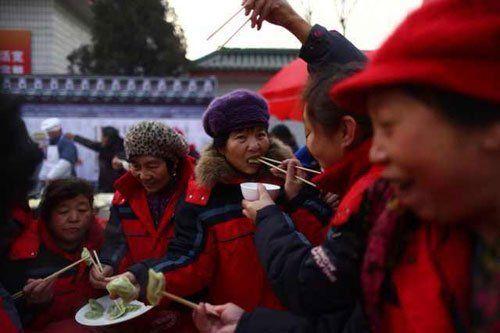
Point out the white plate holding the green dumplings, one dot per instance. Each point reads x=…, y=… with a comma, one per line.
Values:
x=104, y=320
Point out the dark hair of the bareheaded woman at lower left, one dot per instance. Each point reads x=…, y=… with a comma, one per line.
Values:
x=63, y=189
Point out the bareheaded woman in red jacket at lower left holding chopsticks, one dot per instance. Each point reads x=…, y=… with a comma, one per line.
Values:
x=66, y=225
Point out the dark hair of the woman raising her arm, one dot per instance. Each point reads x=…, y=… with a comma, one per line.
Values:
x=322, y=110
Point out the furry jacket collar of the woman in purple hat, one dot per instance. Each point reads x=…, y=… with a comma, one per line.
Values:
x=213, y=168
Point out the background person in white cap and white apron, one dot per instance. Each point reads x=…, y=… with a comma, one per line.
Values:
x=60, y=154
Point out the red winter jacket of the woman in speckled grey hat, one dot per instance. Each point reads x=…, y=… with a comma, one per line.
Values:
x=131, y=236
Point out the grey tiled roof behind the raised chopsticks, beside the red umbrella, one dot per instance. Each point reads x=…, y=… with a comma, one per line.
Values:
x=234, y=59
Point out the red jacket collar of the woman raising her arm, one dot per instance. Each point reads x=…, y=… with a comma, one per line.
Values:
x=342, y=175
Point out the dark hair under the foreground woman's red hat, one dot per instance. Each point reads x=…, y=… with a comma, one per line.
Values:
x=461, y=110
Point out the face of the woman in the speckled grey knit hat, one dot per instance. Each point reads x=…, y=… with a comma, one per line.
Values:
x=152, y=172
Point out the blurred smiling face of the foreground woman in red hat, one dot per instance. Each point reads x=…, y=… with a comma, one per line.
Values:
x=438, y=169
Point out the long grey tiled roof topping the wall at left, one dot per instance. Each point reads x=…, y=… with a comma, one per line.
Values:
x=110, y=89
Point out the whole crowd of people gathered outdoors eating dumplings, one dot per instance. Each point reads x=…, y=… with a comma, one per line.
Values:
x=398, y=234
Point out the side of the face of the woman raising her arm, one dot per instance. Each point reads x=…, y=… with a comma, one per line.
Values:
x=326, y=148
